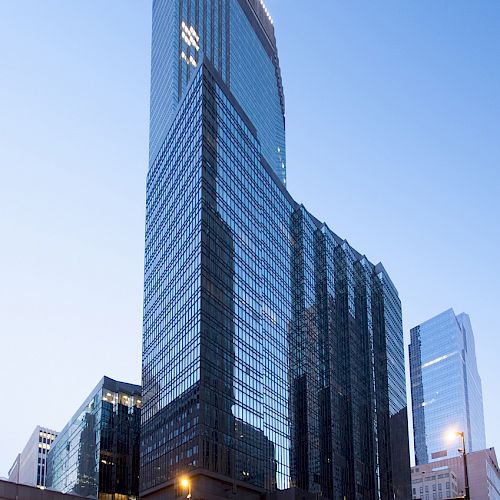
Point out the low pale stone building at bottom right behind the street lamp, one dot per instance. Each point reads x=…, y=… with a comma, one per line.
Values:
x=446, y=478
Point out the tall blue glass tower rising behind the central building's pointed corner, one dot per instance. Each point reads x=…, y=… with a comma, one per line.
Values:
x=237, y=37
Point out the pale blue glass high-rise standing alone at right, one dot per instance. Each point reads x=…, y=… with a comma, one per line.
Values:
x=445, y=387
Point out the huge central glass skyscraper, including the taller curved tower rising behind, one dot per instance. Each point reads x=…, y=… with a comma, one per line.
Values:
x=272, y=350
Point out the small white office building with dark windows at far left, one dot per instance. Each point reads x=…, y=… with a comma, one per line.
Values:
x=30, y=466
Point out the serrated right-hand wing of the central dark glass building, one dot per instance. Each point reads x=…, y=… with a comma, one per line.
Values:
x=347, y=370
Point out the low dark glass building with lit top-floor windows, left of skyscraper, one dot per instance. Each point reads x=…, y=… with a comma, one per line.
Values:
x=97, y=453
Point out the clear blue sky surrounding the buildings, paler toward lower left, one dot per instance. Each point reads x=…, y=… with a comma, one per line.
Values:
x=393, y=138
